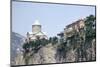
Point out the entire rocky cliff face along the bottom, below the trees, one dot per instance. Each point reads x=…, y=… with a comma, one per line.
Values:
x=53, y=54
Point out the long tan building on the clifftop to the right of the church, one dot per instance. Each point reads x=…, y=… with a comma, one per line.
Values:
x=70, y=29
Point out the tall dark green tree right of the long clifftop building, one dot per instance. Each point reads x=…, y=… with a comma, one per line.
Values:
x=90, y=24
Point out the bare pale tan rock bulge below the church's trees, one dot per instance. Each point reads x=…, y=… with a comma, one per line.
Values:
x=44, y=55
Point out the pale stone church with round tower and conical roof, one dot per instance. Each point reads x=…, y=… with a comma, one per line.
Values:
x=36, y=32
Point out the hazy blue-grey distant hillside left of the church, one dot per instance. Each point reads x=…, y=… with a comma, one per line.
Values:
x=16, y=45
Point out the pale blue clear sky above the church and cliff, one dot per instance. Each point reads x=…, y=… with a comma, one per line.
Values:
x=52, y=17
